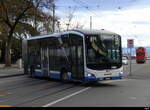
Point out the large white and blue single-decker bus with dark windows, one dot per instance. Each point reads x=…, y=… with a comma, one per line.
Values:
x=75, y=55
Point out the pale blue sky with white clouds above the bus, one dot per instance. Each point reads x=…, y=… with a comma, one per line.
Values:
x=129, y=18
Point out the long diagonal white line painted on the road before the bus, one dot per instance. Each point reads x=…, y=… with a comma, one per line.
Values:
x=66, y=97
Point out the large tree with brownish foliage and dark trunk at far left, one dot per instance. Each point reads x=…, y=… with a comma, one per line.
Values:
x=15, y=11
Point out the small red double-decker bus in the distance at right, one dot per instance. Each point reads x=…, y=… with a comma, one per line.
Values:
x=141, y=55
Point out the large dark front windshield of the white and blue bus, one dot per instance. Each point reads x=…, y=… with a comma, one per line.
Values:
x=103, y=51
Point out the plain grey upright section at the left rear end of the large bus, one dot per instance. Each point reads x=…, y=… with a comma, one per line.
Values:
x=25, y=56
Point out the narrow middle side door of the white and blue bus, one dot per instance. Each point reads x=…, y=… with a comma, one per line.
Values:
x=45, y=62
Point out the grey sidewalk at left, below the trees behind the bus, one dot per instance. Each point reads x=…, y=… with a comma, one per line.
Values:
x=10, y=71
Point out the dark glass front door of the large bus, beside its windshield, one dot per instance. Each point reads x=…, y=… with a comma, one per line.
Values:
x=76, y=46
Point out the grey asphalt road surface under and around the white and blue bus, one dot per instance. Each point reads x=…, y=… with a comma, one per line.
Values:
x=133, y=91
